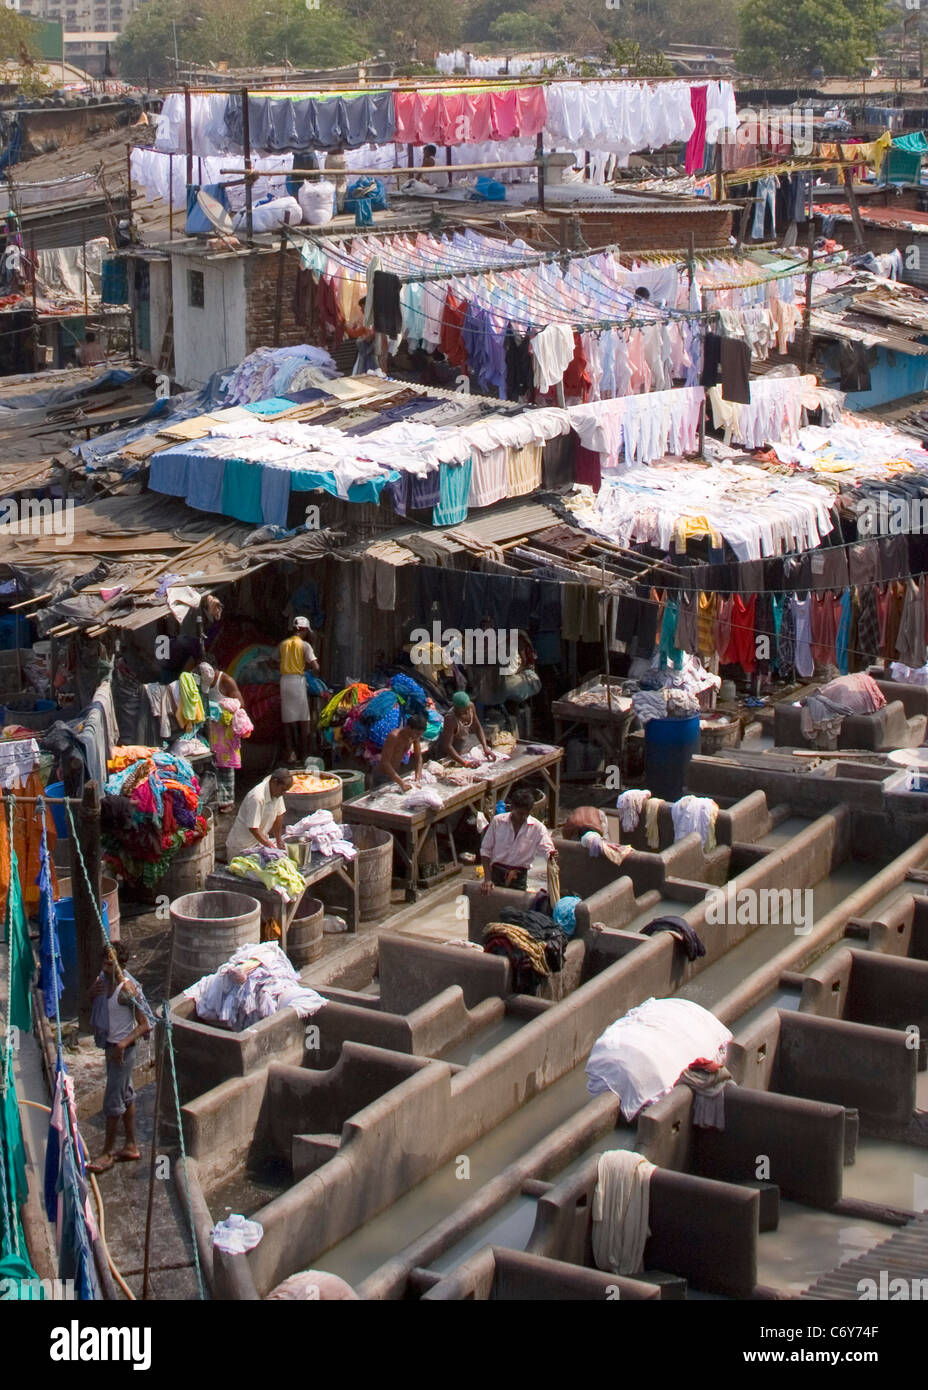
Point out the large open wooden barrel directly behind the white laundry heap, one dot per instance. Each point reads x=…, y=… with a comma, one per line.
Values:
x=209, y=928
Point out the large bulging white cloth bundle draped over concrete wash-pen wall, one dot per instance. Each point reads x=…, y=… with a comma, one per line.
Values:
x=643, y=1056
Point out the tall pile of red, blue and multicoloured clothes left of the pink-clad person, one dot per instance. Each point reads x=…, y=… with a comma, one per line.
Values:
x=151, y=811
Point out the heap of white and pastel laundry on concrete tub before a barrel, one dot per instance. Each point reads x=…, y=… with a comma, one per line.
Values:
x=256, y=982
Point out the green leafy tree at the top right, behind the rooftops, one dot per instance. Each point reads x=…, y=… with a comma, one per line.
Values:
x=840, y=37
